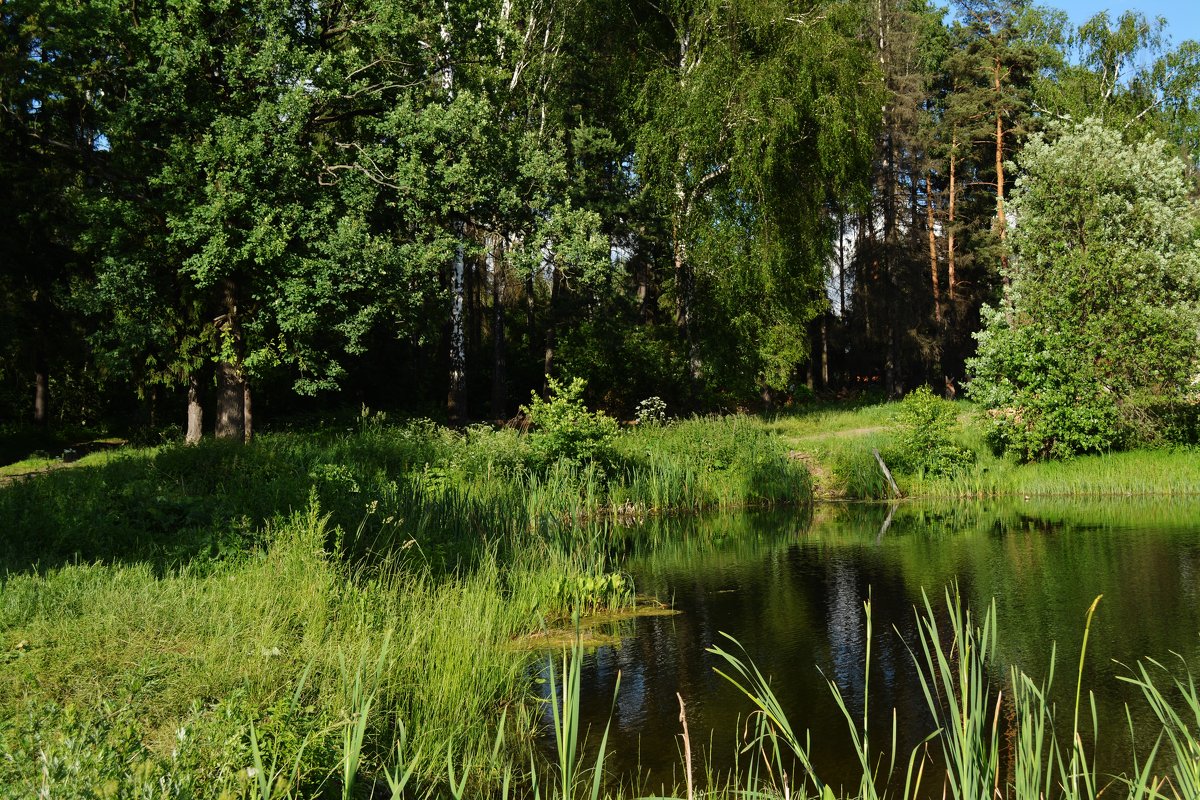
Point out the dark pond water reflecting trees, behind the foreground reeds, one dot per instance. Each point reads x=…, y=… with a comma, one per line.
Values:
x=790, y=587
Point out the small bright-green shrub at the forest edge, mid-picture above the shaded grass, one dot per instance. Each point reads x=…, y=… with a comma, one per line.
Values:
x=565, y=430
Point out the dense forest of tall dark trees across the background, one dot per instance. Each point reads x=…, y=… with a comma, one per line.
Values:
x=224, y=206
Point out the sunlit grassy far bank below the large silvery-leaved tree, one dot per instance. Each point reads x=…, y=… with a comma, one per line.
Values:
x=837, y=442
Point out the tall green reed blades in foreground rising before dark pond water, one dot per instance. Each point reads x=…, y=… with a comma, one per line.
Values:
x=958, y=681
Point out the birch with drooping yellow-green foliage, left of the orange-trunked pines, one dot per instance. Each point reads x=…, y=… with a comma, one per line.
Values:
x=751, y=125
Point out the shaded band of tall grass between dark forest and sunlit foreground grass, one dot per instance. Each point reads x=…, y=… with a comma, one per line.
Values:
x=453, y=496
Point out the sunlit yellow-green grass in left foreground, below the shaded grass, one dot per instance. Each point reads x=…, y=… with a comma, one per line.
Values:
x=172, y=670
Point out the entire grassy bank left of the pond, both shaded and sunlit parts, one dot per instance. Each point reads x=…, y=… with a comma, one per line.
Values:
x=181, y=622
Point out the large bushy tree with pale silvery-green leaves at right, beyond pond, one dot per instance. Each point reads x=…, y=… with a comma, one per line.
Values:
x=1099, y=324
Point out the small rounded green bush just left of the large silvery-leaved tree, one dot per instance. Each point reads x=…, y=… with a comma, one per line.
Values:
x=925, y=443
